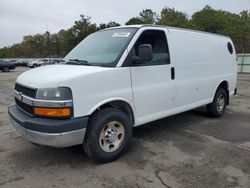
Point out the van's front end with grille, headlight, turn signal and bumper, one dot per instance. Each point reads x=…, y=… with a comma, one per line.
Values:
x=46, y=117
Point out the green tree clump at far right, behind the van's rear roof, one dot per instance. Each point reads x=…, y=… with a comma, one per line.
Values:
x=236, y=26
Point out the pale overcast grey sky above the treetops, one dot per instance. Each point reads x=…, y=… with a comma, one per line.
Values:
x=24, y=17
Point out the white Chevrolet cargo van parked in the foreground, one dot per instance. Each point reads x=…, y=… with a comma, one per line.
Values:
x=119, y=78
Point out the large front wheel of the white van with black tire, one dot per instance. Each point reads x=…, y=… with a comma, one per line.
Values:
x=93, y=143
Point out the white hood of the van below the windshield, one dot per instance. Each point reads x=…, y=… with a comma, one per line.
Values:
x=53, y=75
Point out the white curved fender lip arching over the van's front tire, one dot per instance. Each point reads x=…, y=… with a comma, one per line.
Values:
x=118, y=103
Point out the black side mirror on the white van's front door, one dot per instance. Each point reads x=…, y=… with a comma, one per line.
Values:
x=145, y=54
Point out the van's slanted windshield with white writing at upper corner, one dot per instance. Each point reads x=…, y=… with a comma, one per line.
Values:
x=102, y=48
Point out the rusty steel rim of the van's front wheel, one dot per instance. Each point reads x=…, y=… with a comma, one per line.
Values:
x=112, y=136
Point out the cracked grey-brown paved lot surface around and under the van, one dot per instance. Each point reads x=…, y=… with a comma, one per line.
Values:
x=186, y=150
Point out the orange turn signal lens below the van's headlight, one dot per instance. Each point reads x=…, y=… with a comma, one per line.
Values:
x=52, y=112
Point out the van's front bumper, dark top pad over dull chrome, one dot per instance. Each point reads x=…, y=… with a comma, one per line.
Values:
x=49, y=132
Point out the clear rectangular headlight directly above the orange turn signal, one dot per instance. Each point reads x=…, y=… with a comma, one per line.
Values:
x=61, y=93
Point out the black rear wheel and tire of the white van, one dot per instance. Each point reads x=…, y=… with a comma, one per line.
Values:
x=218, y=106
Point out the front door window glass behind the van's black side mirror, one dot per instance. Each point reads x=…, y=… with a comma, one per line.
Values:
x=157, y=39
